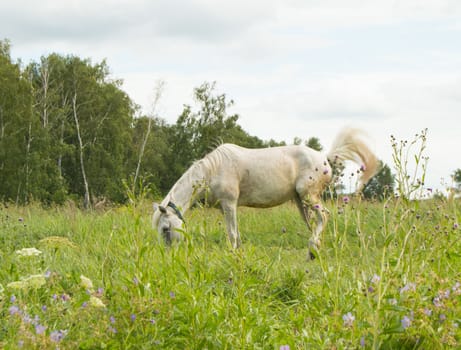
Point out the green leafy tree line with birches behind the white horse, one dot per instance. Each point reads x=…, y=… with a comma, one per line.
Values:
x=68, y=131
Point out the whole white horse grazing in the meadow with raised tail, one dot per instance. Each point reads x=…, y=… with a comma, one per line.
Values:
x=236, y=176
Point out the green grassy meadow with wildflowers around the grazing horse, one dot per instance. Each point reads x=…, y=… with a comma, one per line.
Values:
x=387, y=276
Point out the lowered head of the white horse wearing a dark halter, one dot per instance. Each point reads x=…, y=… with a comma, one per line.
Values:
x=168, y=221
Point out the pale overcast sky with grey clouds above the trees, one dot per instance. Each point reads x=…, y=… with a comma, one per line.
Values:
x=294, y=68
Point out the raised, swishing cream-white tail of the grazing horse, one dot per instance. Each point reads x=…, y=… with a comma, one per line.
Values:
x=349, y=145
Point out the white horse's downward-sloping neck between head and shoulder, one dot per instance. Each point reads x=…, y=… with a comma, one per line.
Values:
x=189, y=187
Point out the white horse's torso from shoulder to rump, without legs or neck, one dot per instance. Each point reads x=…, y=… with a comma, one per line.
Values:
x=265, y=177
